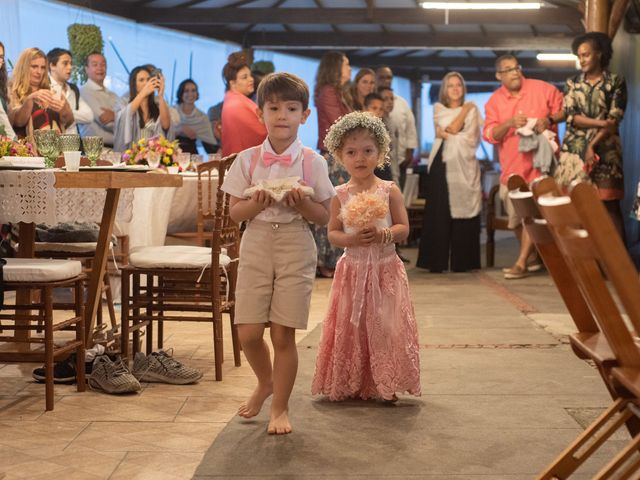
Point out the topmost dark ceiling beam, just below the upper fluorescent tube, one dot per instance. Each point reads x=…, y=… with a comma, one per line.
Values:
x=336, y=16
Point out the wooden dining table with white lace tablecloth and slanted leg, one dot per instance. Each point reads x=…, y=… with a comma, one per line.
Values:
x=52, y=196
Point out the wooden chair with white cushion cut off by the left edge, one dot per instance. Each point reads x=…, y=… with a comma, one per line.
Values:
x=43, y=276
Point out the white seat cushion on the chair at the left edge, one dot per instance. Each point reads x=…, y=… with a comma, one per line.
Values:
x=40, y=270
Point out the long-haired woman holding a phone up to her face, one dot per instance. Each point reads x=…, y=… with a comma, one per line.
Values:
x=147, y=114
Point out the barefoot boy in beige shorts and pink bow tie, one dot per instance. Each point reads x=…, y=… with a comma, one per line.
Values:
x=278, y=253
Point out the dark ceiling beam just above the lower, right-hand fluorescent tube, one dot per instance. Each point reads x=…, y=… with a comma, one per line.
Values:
x=456, y=41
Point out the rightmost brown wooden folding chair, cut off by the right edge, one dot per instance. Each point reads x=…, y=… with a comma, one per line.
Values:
x=588, y=241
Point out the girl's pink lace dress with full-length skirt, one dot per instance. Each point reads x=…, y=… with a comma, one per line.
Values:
x=369, y=345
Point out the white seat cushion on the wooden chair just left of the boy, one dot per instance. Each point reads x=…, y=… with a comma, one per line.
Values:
x=174, y=256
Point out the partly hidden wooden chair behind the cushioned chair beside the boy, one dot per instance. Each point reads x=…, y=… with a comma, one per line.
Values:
x=205, y=207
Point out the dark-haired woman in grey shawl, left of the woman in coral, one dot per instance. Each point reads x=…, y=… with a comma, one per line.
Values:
x=194, y=124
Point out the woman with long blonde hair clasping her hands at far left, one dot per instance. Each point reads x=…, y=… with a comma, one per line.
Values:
x=32, y=105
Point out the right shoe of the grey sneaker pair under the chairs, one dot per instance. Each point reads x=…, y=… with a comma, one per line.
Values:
x=163, y=368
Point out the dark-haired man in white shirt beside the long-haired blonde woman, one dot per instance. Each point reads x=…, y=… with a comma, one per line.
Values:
x=59, y=74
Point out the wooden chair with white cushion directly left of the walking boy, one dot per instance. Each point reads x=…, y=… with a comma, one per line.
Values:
x=185, y=279
